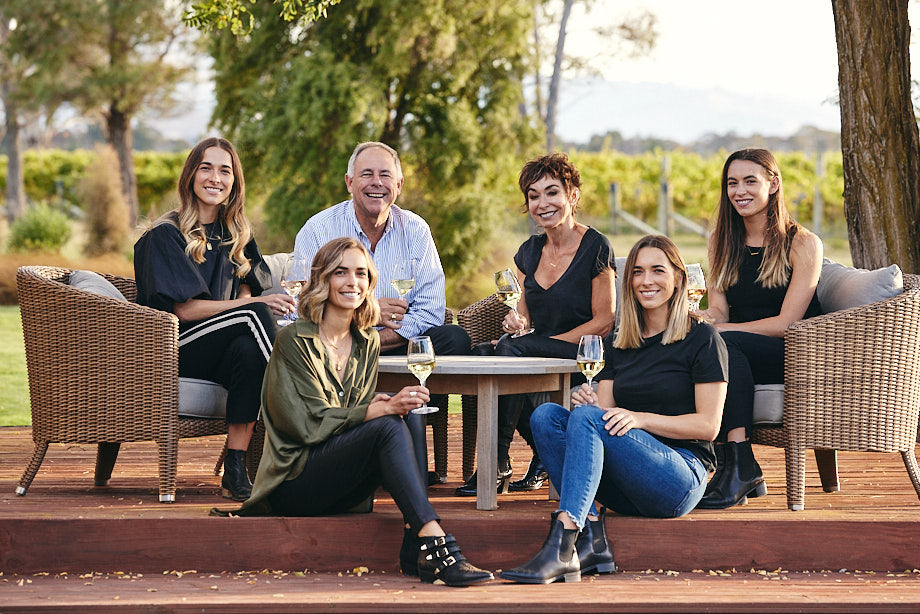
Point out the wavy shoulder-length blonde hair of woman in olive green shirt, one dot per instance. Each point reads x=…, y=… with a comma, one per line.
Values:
x=313, y=297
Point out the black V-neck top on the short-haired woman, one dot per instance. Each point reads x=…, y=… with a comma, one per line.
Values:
x=567, y=303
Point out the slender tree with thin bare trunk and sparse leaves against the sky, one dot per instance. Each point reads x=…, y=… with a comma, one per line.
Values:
x=636, y=34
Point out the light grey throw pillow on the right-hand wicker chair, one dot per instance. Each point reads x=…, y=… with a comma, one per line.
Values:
x=843, y=287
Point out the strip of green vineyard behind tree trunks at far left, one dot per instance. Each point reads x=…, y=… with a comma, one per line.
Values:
x=53, y=175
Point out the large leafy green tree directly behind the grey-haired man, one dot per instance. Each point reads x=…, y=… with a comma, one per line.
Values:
x=441, y=81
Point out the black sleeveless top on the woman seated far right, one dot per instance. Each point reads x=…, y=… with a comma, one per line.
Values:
x=748, y=300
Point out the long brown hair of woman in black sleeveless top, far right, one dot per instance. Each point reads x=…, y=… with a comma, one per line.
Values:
x=728, y=247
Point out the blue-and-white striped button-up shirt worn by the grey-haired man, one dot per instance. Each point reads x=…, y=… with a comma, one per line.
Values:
x=406, y=236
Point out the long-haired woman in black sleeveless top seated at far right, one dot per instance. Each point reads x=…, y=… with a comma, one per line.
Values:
x=764, y=269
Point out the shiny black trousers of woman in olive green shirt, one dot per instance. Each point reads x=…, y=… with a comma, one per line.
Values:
x=346, y=469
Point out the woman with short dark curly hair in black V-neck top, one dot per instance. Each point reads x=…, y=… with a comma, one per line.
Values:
x=567, y=275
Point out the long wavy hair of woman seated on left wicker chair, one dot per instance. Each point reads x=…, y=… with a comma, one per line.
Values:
x=231, y=214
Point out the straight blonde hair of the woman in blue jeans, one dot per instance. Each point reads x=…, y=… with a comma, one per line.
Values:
x=632, y=318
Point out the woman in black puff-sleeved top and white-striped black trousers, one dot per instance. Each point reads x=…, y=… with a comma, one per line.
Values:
x=201, y=263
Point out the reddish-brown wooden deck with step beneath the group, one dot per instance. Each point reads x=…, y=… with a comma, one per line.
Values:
x=855, y=550
